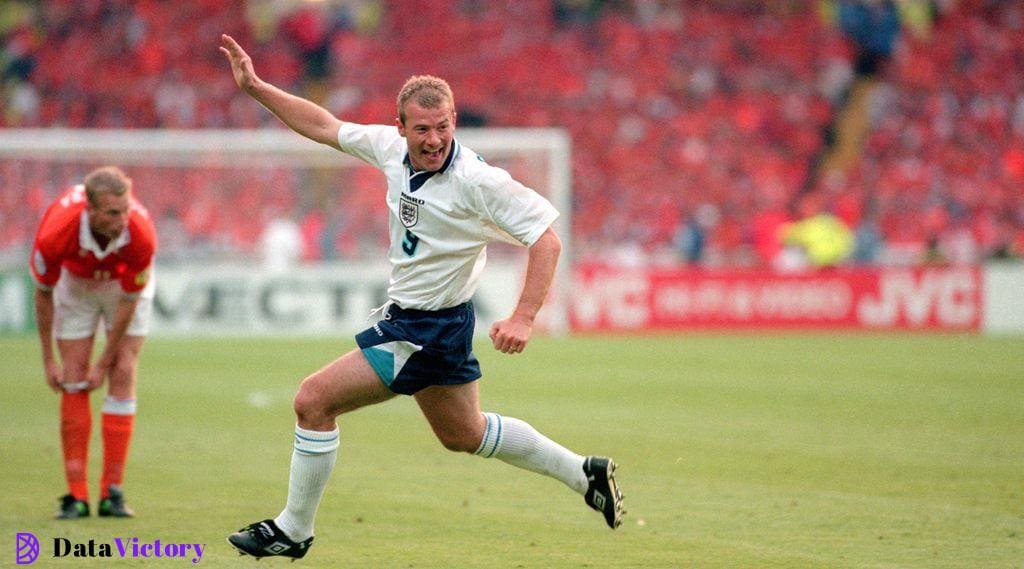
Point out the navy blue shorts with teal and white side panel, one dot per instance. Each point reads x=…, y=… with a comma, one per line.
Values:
x=414, y=349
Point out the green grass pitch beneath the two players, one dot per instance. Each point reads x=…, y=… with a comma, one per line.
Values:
x=737, y=451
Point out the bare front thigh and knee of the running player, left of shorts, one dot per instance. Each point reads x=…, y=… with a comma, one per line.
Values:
x=345, y=385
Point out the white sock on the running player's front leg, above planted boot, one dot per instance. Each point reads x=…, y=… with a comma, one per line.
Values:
x=313, y=461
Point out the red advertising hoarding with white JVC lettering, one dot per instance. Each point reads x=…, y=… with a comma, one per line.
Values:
x=607, y=299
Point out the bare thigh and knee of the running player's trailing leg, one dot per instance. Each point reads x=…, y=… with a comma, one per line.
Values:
x=454, y=414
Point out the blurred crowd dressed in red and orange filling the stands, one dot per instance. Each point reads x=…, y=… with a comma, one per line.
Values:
x=701, y=130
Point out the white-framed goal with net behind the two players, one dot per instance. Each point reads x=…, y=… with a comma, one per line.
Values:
x=216, y=193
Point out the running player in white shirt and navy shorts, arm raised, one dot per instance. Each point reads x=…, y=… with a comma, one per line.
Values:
x=446, y=205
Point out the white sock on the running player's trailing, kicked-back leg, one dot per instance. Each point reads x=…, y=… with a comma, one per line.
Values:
x=516, y=443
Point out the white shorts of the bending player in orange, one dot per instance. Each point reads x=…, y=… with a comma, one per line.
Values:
x=80, y=303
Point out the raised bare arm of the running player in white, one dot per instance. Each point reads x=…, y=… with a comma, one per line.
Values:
x=303, y=116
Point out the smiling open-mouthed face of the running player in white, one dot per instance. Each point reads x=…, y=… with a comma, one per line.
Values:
x=430, y=134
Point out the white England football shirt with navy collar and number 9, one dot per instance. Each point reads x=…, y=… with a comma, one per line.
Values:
x=441, y=223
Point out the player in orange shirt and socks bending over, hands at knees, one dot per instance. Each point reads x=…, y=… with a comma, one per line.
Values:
x=93, y=262
